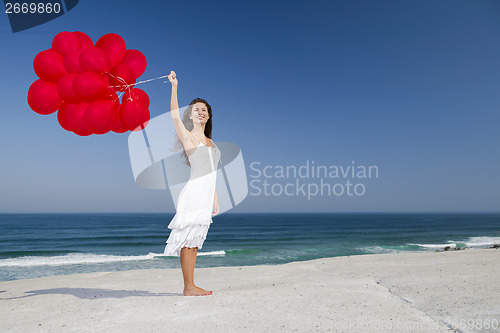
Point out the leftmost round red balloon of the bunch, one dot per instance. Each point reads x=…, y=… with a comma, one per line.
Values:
x=43, y=97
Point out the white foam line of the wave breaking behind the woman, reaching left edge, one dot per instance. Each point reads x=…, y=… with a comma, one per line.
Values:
x=82, y=258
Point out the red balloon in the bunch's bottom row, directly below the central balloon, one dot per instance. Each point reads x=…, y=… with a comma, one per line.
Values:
x=99, y=116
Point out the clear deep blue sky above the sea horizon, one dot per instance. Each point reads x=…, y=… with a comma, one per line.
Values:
x=409, y=86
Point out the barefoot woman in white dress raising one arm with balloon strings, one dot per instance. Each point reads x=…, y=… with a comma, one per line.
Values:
x=197, y=201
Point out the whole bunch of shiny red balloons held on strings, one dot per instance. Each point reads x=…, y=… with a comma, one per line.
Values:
x=80, y=80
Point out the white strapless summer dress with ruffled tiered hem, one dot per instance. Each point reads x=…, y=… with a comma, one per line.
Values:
x=193, y=216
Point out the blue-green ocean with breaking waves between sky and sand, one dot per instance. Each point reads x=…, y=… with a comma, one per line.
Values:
x=36, y=245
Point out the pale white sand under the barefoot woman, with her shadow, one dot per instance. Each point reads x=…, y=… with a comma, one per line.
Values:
x=402, y=292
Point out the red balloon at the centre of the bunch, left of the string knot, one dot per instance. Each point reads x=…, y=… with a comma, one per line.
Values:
x=90, y=86
